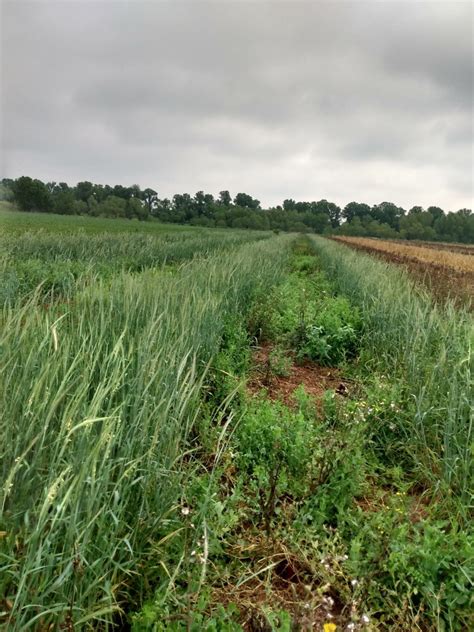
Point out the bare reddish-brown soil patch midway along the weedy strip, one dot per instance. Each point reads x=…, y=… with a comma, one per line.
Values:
x=315, y=379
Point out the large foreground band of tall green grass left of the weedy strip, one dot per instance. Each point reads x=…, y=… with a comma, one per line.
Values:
x=96, y=401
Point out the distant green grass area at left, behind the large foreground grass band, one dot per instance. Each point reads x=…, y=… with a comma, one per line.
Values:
x=63, y=262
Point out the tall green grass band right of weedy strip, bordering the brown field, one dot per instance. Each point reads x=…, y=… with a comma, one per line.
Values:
x=424, y=347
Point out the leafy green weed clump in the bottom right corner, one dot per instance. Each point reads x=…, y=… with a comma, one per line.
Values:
x=407, y=569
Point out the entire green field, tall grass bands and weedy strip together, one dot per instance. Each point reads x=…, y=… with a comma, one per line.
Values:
x=228, y=430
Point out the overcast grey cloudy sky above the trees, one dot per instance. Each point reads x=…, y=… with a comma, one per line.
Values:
x=366, y=100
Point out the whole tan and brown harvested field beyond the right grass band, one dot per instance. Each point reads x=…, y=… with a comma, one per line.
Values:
x=447, y=269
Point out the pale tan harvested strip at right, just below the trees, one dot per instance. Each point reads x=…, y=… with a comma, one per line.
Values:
x=457, y=261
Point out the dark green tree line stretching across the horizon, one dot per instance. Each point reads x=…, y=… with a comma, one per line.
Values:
x=385, y=220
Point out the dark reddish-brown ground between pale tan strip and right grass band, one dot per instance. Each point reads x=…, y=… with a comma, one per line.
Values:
x=444, y=283
